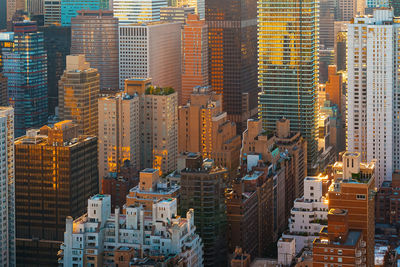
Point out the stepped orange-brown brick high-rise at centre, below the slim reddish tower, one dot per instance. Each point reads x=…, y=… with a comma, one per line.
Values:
x=204, y=128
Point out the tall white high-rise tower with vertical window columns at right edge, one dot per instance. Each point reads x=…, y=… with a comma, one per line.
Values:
x=373, y=116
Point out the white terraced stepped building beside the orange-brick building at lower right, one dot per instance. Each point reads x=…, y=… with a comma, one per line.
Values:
x=309, y=213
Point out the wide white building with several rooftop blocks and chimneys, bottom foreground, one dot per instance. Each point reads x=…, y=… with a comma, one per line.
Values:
x=99, y=236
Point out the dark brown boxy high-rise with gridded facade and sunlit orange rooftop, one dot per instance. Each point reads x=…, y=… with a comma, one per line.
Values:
x=55, y=173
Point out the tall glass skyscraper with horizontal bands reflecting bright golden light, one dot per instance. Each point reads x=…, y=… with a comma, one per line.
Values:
x=288, y=69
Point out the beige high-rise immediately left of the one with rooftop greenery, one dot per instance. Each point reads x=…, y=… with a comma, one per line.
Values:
x=119, y=132
